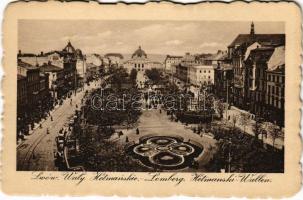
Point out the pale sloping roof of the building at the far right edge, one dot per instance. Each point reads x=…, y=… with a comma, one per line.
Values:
x=277, y=59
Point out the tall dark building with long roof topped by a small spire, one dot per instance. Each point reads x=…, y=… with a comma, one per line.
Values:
x=237, y=52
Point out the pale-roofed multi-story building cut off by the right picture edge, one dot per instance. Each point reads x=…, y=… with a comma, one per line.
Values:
x=275, y=86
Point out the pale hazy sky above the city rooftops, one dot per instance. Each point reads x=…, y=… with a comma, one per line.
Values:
x=155, y=37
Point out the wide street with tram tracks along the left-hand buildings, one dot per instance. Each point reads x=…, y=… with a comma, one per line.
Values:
x=36, y=153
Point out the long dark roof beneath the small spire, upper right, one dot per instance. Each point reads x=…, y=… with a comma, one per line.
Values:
x=274, y=39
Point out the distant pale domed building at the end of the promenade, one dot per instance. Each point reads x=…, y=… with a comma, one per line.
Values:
x=139, y=61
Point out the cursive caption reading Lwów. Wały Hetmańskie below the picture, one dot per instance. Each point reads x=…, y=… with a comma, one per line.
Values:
x=171, y=178
